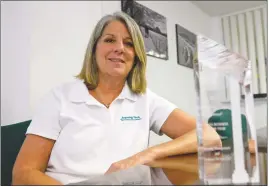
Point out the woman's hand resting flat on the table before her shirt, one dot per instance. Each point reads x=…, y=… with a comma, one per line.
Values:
x=144, y=157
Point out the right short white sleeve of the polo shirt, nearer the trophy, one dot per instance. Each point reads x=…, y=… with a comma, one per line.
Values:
x=159, y=110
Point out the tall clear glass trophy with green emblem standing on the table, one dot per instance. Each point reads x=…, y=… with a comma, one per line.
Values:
x=220, y=74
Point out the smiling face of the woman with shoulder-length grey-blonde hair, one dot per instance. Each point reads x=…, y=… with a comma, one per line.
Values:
x=115, y=51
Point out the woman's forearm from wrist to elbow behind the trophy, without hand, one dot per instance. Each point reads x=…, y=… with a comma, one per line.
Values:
x=187, y=143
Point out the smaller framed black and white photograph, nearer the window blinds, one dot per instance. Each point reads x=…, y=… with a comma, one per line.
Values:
x=186, y=46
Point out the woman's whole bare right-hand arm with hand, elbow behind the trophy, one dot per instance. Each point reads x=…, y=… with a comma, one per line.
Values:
x=179, y=126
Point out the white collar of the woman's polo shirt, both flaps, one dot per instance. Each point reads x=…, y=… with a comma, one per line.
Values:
x=79, y=93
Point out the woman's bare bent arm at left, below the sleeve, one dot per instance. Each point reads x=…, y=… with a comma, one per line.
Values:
x=31, y=163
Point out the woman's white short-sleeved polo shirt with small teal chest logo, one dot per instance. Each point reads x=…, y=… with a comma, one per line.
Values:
x=90, y=137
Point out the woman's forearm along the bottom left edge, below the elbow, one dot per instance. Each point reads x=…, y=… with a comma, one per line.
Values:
x=33, y=177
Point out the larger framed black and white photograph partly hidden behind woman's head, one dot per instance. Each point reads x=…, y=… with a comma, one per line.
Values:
x=152, y=26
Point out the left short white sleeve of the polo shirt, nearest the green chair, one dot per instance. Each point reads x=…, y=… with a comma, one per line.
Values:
x=45, y=121
